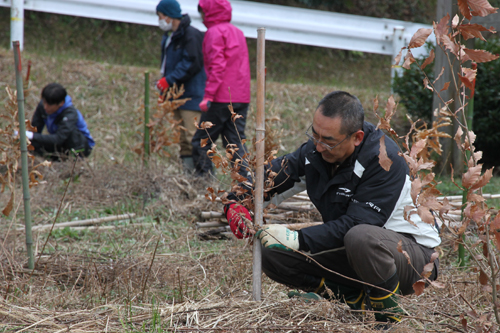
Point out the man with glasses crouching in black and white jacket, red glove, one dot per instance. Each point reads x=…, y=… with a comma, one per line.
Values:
x=362, y=207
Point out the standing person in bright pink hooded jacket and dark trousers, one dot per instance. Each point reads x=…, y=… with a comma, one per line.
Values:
x=225, y=56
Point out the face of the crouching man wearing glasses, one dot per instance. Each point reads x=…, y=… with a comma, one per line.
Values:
x=328, y=130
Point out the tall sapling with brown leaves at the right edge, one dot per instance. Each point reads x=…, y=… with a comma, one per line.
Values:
x=450, y=37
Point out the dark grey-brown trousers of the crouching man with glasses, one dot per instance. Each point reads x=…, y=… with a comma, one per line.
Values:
x=370, y=255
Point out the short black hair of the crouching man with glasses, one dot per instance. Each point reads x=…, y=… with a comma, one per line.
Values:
x=347, y=107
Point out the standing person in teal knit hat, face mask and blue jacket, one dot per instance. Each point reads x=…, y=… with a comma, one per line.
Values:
x=182, y=64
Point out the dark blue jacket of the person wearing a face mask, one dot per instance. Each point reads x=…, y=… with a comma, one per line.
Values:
x=182, y=62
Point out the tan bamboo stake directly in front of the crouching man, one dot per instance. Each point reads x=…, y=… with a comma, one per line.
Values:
x=260, y=130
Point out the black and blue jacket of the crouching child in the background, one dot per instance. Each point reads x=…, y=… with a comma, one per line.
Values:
x=66, y=137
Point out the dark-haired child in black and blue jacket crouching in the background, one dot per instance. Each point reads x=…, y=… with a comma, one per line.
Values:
x=67, y=130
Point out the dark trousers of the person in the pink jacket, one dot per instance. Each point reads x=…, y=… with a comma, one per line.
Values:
x=231, y=132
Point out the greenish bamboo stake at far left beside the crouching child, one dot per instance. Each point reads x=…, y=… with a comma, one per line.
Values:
x=24, y=153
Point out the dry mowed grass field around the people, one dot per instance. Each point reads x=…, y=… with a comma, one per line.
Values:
x=152, y=272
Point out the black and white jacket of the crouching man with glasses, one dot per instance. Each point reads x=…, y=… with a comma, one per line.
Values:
x=360, y=192
